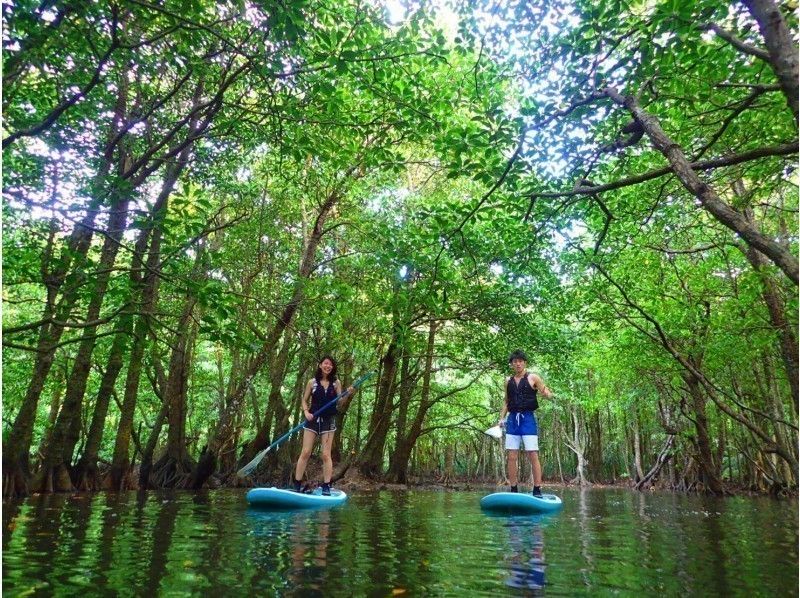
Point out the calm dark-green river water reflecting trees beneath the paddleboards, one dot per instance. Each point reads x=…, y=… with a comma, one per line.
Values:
x=416, y=543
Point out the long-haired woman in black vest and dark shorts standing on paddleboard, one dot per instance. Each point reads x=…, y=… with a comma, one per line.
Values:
x=321, y=390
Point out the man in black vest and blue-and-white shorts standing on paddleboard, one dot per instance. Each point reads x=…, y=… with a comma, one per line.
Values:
x=521, y=428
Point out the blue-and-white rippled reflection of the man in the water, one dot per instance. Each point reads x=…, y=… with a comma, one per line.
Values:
x=525, y=559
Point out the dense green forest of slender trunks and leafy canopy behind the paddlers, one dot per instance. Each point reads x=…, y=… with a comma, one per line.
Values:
x=202, y=199
